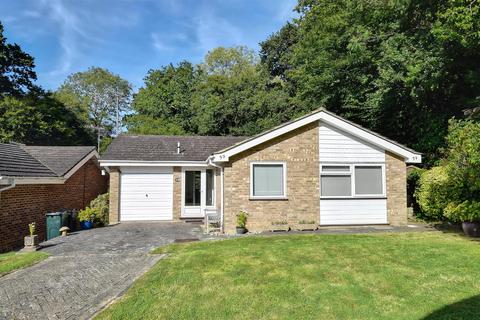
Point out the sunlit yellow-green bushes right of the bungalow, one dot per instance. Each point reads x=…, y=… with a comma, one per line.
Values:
x=453, y=188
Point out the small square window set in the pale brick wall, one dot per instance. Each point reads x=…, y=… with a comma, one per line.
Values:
x=268, y=180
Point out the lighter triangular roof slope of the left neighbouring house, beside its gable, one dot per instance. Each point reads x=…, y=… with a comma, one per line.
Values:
x=59, y=159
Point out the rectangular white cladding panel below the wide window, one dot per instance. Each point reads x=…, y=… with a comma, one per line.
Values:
x=353, y=211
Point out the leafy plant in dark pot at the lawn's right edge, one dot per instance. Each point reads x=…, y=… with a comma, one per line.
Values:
x=468, y=213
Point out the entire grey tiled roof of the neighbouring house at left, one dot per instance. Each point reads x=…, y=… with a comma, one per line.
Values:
x=17, y=160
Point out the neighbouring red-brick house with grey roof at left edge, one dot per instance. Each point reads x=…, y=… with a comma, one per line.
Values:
x=35, y=180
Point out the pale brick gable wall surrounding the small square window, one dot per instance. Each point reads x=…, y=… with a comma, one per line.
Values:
x=299, y=149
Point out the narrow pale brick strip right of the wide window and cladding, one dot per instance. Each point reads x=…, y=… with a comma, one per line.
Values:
x=396, y=172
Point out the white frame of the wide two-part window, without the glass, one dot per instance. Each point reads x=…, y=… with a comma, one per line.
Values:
x=351, y=173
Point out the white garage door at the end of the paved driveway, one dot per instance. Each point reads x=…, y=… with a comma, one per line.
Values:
x=146, y=194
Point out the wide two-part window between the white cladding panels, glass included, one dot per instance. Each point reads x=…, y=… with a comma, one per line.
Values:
x=352, y=180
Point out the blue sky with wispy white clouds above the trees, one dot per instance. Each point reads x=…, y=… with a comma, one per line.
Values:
x=130, y=37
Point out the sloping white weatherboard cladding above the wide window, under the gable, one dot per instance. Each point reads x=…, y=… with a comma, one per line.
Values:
x=340, y=147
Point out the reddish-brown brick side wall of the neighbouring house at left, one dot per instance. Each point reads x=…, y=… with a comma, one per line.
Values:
x=24, y=204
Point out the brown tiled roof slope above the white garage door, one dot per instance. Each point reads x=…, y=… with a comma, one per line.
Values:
x=164, y=148
